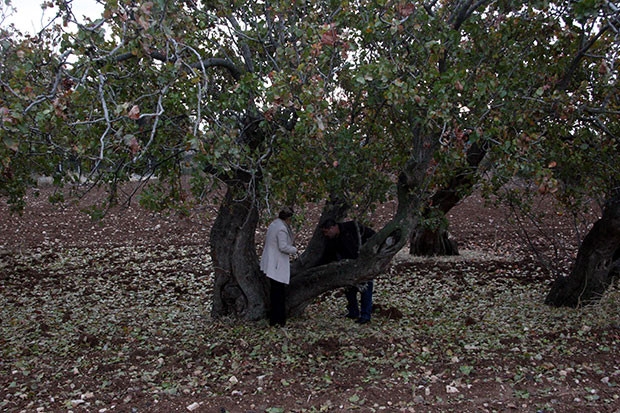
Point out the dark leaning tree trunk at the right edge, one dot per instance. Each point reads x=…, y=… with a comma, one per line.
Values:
x=597, y=264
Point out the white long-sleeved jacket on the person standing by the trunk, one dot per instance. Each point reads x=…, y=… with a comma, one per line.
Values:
x=278, y=246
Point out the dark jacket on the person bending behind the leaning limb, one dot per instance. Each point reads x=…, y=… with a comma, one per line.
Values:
x=347, y=244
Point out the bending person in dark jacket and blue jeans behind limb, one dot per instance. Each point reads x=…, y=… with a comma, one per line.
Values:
x=344, y=240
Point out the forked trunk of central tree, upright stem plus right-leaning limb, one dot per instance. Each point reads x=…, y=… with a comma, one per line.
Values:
x=241, y=289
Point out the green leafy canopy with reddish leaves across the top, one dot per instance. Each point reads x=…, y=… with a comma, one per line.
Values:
x=344, y=87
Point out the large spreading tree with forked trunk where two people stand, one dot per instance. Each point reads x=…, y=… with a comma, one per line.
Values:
x=290, y=102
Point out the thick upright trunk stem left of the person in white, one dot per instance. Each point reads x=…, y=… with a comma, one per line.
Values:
x=241, y=290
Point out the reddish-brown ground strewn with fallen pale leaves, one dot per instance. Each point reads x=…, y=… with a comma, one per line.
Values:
x=114, y=317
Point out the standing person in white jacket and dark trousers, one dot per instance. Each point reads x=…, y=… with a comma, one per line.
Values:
x=275, y=263
